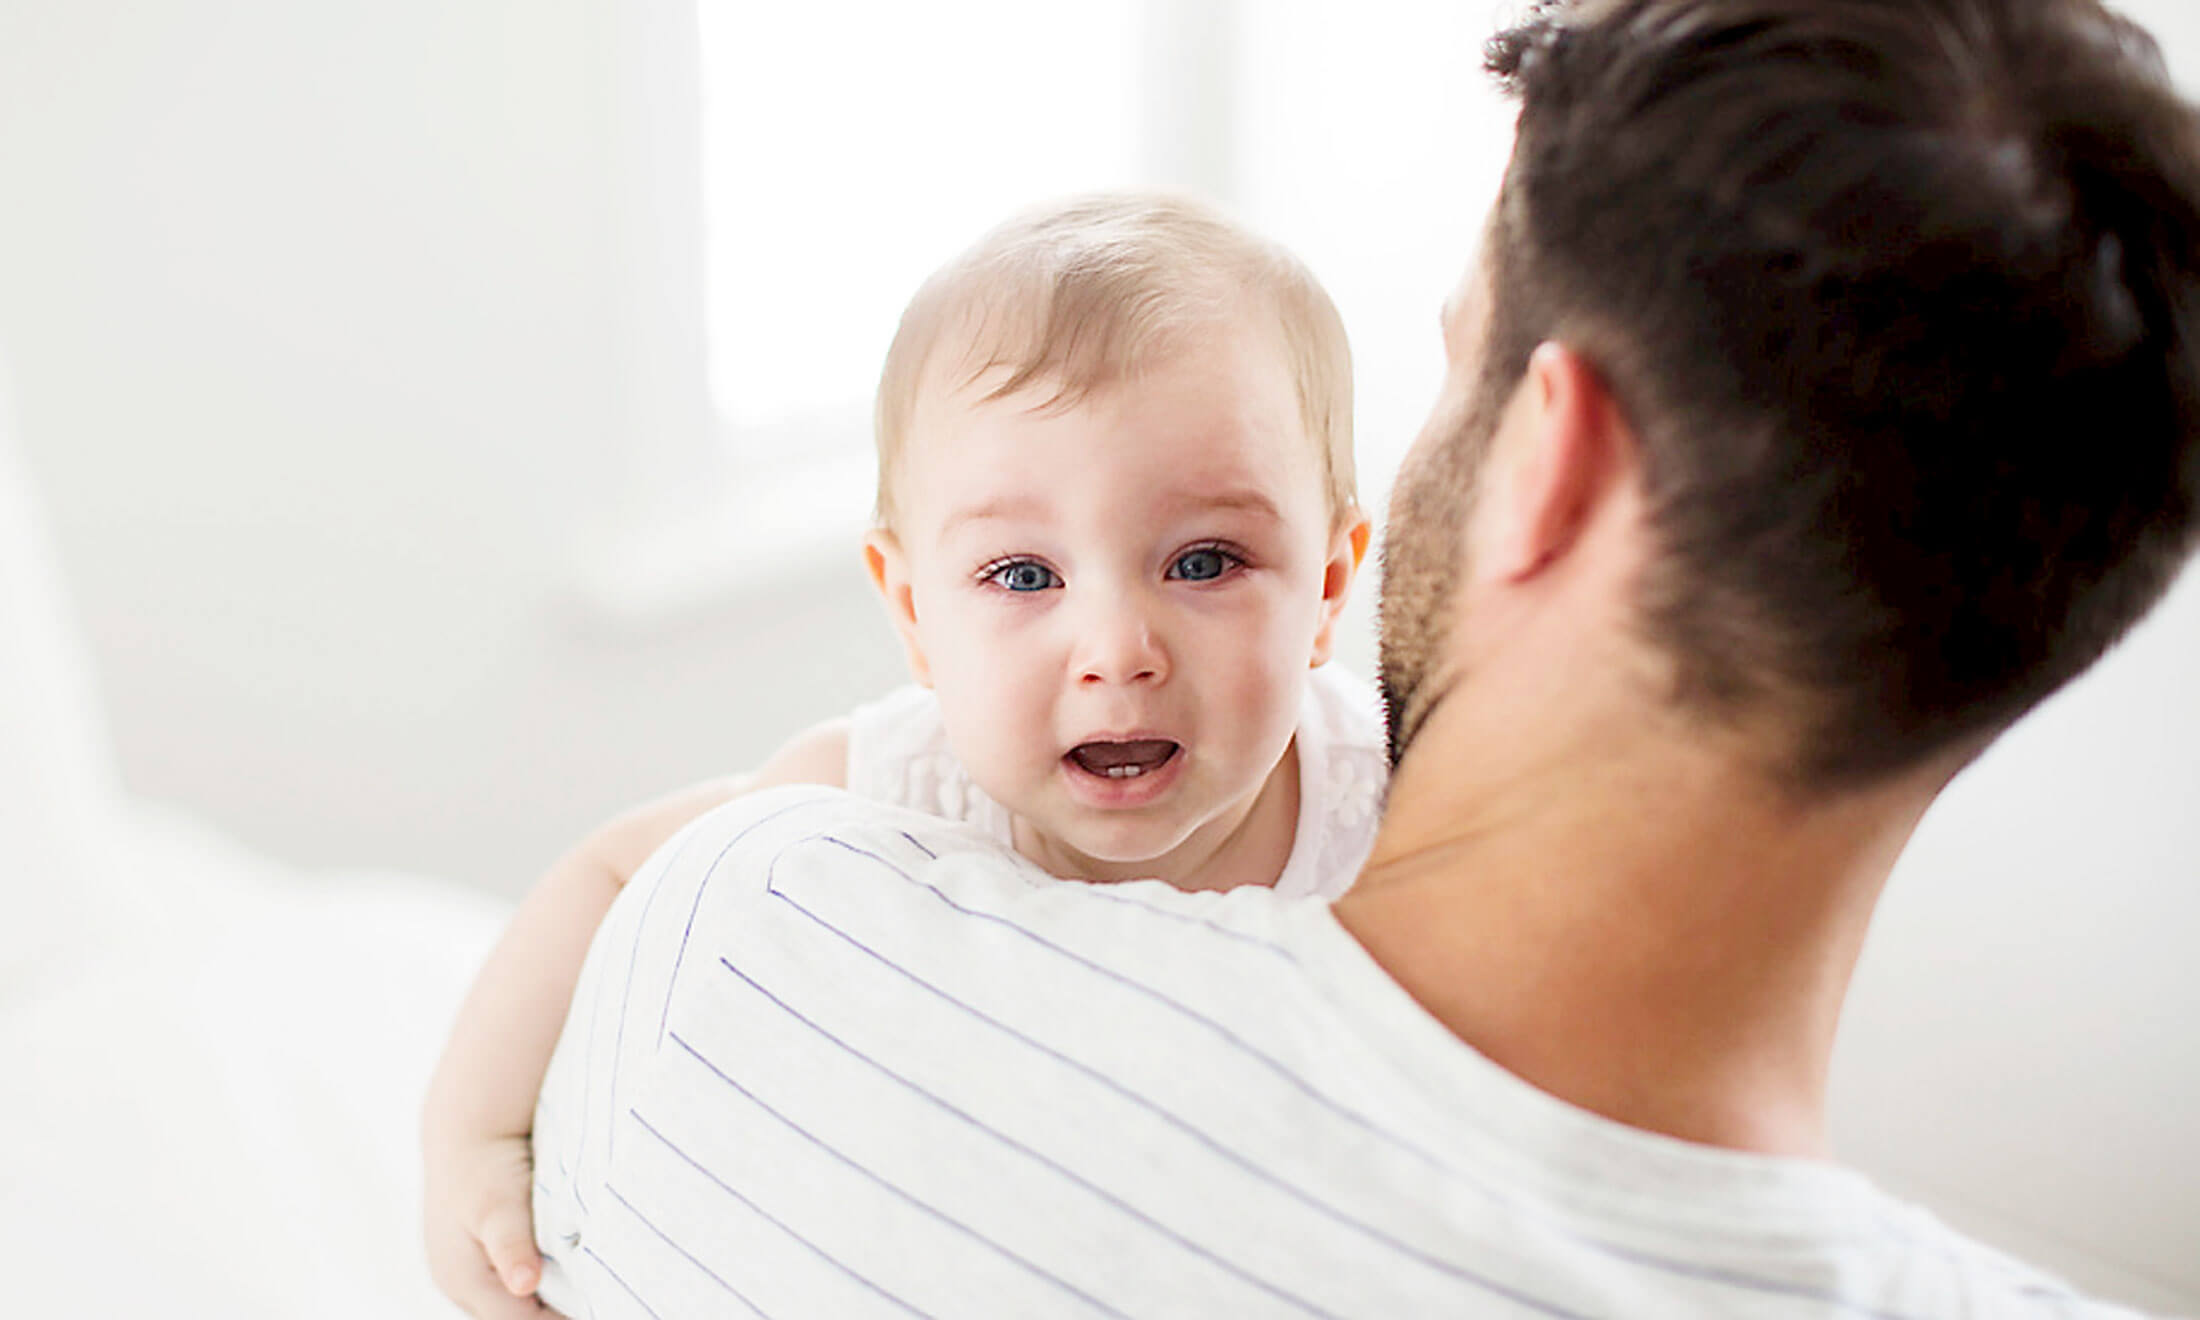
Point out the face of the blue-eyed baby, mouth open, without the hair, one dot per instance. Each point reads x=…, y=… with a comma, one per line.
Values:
x=1119, y=599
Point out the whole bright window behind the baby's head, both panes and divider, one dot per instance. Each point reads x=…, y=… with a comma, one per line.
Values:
x=852, y=148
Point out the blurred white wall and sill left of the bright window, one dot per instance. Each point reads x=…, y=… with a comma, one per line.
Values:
x=316, y=316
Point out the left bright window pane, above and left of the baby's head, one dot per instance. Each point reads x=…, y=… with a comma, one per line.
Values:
x=852, y=148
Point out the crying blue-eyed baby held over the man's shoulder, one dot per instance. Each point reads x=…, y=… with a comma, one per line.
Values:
x=1116, y=527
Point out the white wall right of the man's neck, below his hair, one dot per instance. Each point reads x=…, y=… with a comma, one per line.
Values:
x=2021, y=1046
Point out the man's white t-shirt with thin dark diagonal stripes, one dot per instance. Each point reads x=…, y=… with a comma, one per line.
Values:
x=837, y=1059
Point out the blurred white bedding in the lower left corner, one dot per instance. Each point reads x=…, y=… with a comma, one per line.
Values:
x=210, y=1112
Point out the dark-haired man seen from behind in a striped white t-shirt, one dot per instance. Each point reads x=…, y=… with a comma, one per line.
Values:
x=1820, y=404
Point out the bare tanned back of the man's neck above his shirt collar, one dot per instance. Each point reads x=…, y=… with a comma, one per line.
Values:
x=1647, y=934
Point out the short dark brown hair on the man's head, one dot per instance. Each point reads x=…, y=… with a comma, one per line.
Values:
x=1900, y=298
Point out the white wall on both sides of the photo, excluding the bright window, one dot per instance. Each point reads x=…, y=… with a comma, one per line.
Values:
x=329, y=355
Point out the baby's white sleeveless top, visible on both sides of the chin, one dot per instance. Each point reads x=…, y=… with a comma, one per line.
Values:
x=899, y=753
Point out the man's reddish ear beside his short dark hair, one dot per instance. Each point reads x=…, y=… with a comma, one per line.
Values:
x=1570, y=445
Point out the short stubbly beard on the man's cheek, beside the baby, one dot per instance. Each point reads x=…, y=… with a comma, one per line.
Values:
x=1424, y=562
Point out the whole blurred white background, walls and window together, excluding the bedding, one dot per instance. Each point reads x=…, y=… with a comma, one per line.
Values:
x=452, y=419
